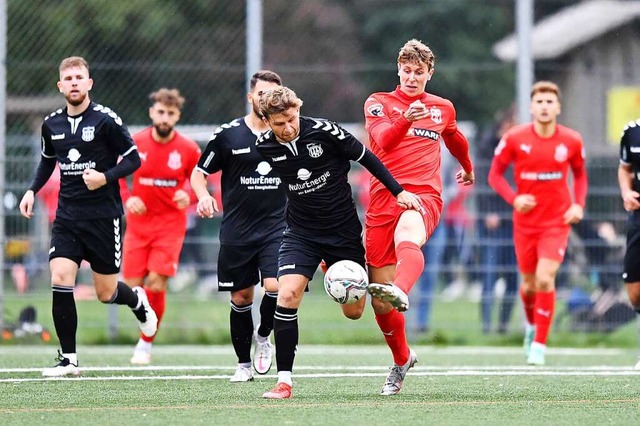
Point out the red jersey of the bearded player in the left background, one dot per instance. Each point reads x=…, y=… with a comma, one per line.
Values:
x=165, y=169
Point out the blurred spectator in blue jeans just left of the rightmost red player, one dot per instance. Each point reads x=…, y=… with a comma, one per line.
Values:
x=495, y=234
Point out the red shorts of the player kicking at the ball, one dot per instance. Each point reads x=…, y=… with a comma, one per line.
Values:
x=381, y=222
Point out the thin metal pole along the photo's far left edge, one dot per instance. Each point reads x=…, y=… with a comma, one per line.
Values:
x=3, y=138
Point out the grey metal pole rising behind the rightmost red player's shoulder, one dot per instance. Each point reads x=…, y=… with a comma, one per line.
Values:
x=524, y=72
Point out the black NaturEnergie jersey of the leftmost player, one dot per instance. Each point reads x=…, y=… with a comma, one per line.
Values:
x=92, y=140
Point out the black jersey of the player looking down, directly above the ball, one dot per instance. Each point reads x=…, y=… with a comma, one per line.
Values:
x=314, y=169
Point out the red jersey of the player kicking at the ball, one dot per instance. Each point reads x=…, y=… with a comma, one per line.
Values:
x=415, y=159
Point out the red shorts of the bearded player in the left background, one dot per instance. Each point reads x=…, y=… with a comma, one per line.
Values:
x=157, y=251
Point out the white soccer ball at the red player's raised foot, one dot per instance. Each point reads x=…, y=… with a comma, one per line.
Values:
x=346, y=282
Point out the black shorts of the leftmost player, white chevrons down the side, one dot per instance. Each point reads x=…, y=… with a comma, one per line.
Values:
x=98, y=241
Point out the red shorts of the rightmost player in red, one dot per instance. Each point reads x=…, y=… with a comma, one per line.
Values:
x=532, y=245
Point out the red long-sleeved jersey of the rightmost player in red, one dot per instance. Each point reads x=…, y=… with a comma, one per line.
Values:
x=541, y=168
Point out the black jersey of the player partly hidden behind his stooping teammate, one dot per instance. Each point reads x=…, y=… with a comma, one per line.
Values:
x=253, y=197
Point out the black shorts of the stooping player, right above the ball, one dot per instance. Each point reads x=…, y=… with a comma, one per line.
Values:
x=301, y=253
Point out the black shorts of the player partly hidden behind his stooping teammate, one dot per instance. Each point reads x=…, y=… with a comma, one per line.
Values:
x=241, y=267
